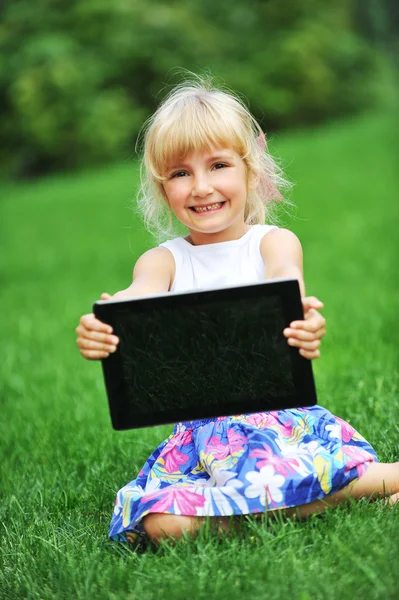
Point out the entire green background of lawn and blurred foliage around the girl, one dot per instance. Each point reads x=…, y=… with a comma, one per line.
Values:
x=77, y=80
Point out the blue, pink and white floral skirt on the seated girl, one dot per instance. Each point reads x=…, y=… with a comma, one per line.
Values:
x=241, y=465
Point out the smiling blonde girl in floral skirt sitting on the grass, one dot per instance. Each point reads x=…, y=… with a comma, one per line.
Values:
x=206, y=163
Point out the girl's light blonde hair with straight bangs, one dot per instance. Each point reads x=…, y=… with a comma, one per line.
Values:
x=195, y=116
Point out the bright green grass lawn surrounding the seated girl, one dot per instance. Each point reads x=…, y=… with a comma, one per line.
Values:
x=64, y=241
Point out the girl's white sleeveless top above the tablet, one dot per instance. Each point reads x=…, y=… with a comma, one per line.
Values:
x=236, y=262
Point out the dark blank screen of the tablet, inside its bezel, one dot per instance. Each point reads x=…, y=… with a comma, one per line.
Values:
x=210, y=355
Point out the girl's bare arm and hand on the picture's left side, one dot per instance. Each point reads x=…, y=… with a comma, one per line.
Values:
x=153, y=274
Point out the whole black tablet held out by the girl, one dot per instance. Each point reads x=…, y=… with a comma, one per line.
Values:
x=204, y=354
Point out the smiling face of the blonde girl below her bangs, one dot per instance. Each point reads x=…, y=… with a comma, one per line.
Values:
x=207, y=192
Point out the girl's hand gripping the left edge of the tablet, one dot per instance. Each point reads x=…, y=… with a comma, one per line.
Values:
x=95, y=339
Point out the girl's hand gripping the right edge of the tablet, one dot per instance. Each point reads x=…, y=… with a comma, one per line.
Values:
x=306, y=335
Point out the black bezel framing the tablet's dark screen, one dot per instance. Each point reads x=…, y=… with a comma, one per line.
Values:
x=109, y=312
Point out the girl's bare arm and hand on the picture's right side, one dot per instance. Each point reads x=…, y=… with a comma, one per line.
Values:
x=282, y=255
